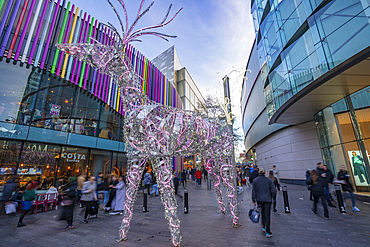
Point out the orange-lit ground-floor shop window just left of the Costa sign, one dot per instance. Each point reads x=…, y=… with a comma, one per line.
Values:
x=38, y=162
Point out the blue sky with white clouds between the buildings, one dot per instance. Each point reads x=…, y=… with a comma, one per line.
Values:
x=212, y=35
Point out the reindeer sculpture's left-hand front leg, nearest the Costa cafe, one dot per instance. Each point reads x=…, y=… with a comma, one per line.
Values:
x=134, y=173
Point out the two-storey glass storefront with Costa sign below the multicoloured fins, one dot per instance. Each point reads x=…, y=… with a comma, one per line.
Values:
x=51, y=129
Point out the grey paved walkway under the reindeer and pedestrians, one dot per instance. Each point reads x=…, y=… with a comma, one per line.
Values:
x=203, y=226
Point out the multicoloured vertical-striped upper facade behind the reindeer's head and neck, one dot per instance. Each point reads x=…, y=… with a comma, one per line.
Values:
x=30, y=29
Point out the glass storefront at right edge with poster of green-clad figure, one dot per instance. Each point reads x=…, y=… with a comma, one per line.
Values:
x=344, y=135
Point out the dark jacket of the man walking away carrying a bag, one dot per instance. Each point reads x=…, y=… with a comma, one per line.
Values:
x=263, y=189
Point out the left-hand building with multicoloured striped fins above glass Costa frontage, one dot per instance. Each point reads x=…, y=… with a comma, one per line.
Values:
x=60, y=117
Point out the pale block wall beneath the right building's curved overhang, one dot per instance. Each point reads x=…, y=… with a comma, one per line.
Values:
x=293, y=150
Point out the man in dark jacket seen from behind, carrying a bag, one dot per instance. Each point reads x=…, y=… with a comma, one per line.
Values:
x=262, y=193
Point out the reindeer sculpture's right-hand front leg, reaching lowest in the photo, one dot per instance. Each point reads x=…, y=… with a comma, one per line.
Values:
x=163, y=172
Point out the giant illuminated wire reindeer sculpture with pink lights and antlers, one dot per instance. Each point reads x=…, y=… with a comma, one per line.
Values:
x=157, y=131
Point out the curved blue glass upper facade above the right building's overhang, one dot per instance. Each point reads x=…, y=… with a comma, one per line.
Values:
x=299, y=41
